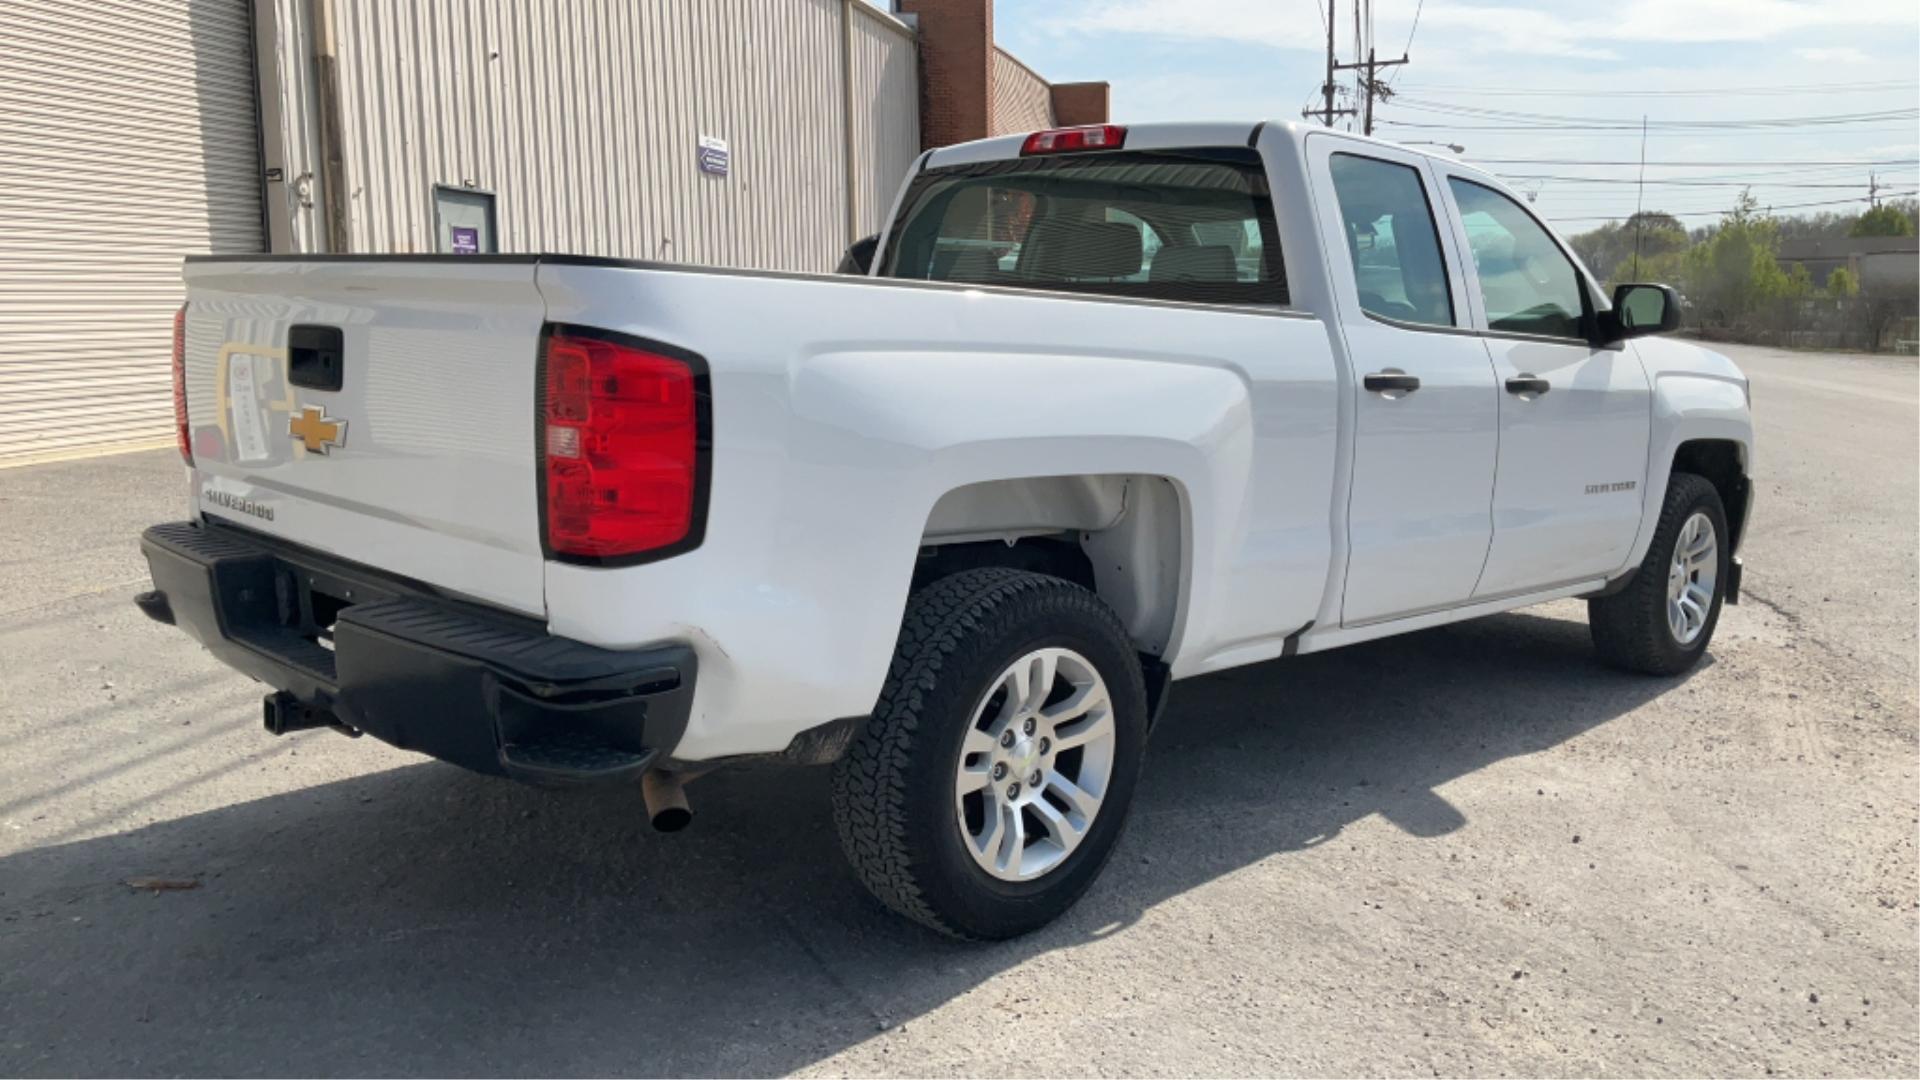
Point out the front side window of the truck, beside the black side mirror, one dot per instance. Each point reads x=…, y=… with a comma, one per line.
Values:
x=1527, y=283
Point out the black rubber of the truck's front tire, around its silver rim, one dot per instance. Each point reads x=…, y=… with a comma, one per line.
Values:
x=1631, y=627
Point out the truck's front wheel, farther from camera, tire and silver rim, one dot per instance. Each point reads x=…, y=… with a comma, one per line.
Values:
x=1664, y=620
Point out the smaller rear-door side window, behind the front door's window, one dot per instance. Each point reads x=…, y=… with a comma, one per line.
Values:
x=1393, y=239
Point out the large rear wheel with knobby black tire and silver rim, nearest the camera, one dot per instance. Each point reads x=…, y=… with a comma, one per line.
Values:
x=994, y=779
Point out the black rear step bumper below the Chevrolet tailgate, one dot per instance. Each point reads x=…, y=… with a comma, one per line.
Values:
x=485, y=691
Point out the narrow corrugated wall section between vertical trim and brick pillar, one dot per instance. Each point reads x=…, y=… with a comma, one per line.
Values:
x=886, y=114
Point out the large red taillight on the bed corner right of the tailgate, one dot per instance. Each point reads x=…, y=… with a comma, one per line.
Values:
x=621, y=449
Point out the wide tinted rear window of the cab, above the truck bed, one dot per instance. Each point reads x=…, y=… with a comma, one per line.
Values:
x=1170, y=226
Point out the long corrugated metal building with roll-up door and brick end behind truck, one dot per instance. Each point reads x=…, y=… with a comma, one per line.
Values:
x=761, y=134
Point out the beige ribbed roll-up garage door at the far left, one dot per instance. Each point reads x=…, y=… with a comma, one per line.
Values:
x=128, y=139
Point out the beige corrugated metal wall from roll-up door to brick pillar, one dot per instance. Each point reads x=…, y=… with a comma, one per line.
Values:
x=585, y=116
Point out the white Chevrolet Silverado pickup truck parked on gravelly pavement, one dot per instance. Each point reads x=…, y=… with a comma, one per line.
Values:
x=1113, y=408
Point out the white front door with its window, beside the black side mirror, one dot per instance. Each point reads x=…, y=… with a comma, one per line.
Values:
x=1573, y=418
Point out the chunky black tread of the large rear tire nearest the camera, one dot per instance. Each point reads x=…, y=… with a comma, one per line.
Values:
x=871, y=781
